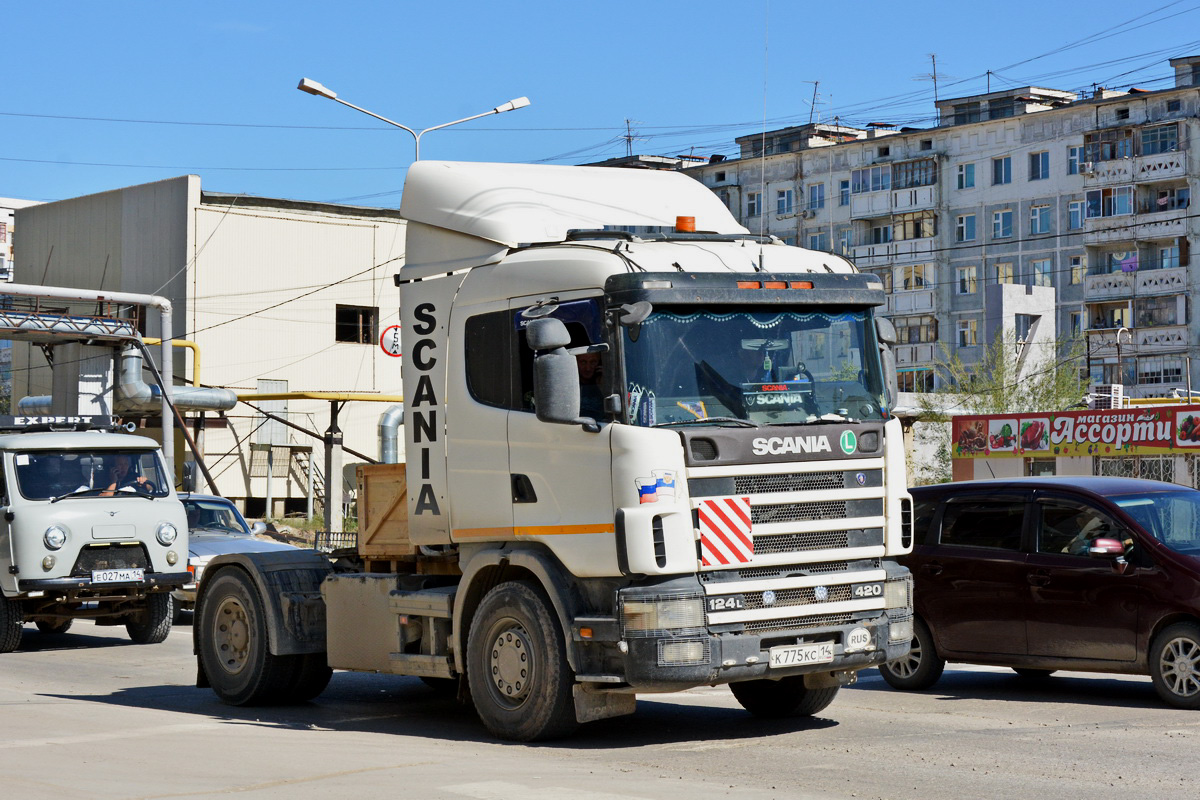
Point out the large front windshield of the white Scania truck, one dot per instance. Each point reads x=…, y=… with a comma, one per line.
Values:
x=698, y=365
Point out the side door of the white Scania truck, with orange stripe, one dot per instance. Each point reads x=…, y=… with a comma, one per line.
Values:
x=562, y=474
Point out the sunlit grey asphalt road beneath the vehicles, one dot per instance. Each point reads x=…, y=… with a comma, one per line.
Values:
x=89, y=715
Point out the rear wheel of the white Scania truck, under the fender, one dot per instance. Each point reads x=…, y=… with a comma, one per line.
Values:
x=235, y=649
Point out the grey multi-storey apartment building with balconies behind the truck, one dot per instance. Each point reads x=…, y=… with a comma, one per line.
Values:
x=1088, y=196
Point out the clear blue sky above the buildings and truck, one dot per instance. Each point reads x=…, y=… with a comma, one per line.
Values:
x=99, y=97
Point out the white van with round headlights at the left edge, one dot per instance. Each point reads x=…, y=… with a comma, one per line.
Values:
x=91, y=528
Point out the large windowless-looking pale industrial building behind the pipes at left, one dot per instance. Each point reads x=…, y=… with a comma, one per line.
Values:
x=275, y=298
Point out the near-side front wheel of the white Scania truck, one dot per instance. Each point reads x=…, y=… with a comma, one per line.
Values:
x=517, y=666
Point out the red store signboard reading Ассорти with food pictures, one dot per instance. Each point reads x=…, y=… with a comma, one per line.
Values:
x=1147, y=431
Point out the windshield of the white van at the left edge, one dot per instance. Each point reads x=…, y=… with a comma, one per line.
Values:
x=43, y=476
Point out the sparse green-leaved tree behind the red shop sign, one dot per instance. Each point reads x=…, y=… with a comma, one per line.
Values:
x=1003, y=382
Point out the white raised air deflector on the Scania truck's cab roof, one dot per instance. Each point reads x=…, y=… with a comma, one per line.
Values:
x=521, y=204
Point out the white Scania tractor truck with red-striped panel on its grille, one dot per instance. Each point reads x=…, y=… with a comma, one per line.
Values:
x=645, y=452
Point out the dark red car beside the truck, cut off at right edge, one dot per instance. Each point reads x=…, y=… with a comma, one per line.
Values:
x=1047, y=574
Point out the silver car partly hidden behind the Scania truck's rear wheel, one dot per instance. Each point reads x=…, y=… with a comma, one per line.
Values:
x=215, y=528
